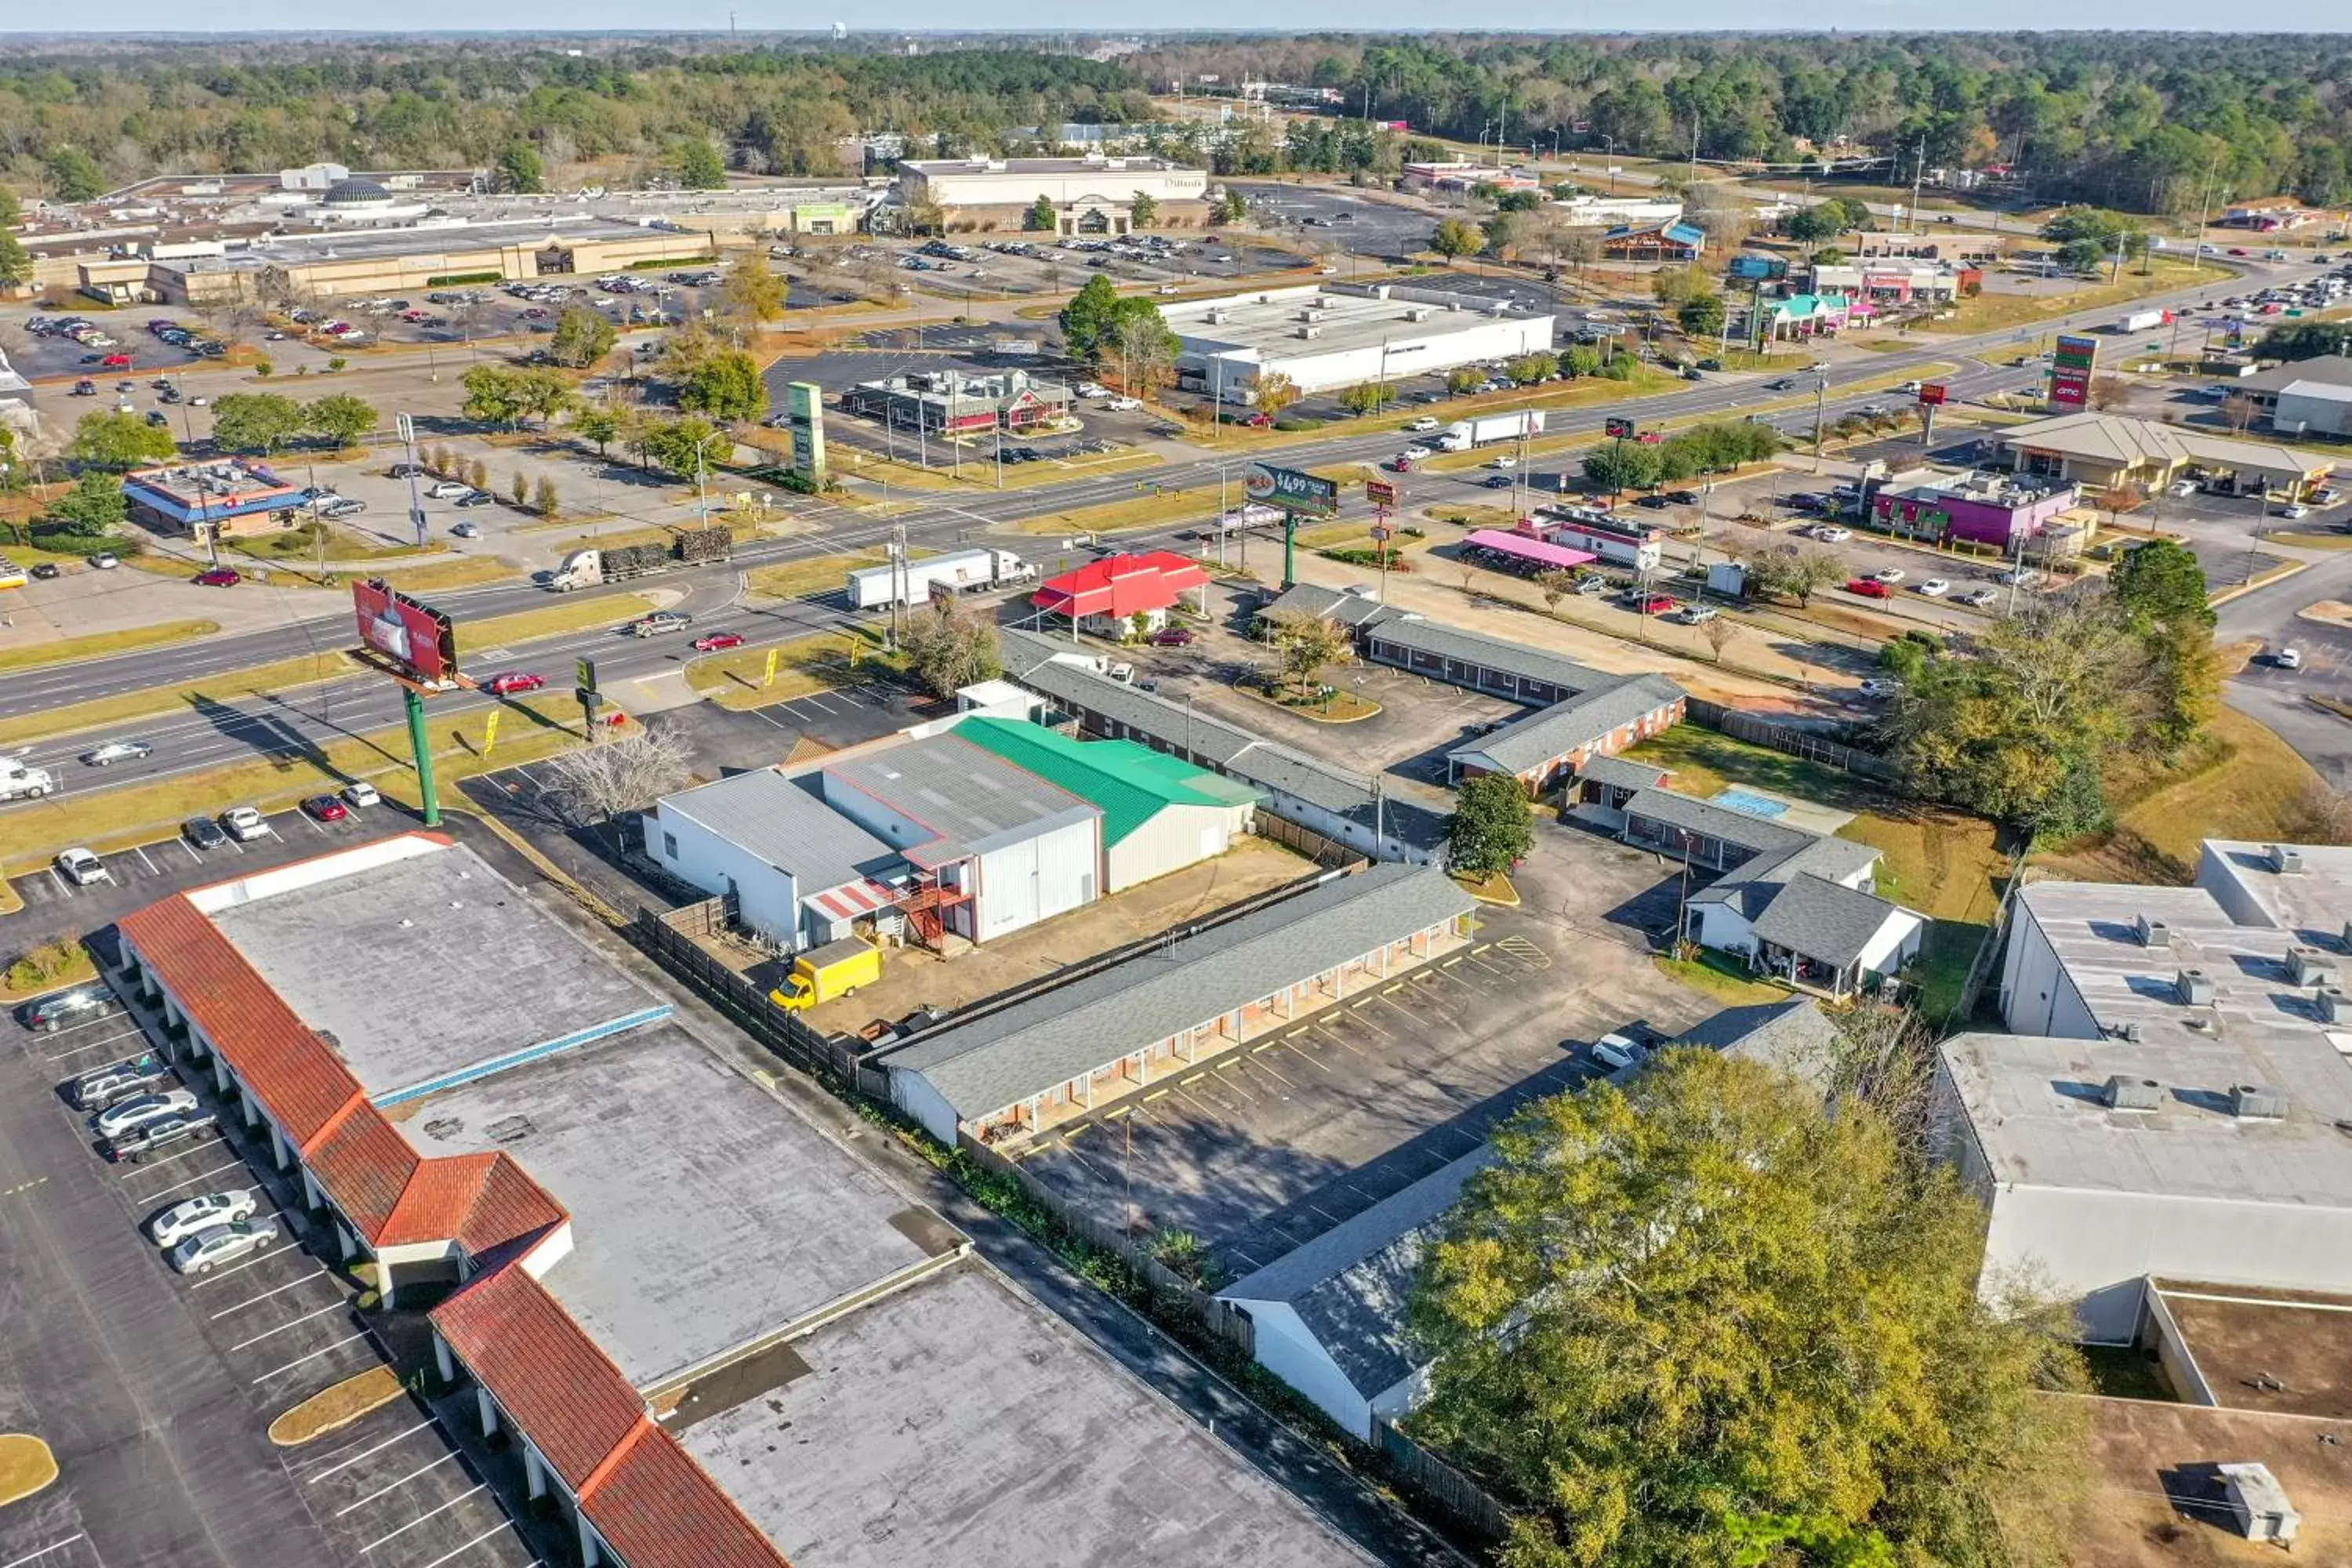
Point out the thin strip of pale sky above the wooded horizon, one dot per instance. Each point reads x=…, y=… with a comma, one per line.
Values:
x=1295, y=15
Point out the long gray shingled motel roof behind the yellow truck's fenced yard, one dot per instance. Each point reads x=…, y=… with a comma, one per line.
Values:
x=1076, y=1028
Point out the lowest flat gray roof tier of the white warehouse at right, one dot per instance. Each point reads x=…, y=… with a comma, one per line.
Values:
x=2033, y=1104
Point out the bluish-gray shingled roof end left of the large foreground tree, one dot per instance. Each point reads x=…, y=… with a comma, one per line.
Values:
x=1354, y=1282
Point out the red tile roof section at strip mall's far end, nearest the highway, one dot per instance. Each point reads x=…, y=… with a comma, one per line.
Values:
x=279, y=1057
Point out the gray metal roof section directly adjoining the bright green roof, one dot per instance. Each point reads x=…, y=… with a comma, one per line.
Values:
x=968, y=798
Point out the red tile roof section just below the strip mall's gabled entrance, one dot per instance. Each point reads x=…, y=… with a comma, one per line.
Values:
x=542, y=1369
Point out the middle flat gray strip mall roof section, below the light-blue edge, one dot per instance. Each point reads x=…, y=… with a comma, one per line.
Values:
x=704, y=1214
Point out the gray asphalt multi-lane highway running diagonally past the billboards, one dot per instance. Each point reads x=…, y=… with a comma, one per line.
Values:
x=309, y=718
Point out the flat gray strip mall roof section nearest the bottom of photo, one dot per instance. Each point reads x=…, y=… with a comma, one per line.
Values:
x=961, y=1423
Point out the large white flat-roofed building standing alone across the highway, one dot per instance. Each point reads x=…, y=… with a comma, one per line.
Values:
x=1330, y=337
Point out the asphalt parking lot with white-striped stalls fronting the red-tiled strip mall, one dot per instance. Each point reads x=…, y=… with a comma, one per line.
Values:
x=156, y=1388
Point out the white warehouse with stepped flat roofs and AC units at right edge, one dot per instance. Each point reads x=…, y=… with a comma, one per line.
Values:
x=2177, y=1097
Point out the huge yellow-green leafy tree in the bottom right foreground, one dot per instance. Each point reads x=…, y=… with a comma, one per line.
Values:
x=1699, y=1311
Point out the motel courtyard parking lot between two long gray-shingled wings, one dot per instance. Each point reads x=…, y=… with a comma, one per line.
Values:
x=1302, y=1130
